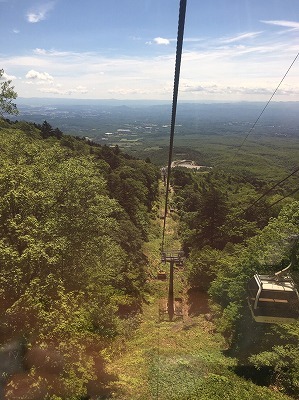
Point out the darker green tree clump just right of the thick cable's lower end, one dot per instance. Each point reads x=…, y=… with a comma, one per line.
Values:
x=211, y=209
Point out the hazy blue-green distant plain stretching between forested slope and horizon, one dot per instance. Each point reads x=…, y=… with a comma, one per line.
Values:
x=212, y=134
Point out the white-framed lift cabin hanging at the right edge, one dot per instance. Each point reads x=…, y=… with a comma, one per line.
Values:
x=272, y=300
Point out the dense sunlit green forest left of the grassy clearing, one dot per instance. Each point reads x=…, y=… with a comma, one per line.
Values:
x=73, y=218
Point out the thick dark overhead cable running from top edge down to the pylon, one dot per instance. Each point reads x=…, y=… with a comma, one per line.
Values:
x=179, y=48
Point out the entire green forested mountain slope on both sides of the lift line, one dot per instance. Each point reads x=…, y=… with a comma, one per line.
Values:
x=78, y=293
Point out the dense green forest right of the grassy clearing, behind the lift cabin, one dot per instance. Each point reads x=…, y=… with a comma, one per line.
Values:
x=228, y=238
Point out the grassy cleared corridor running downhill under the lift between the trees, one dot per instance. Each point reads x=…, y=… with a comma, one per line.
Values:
x=178, y=360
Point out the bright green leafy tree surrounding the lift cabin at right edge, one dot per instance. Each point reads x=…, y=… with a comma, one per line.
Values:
x=266, y=253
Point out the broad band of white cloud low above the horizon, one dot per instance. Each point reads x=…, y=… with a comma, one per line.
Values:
x=224, y=69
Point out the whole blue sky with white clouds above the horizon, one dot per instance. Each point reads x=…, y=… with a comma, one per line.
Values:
x=234, y=50
